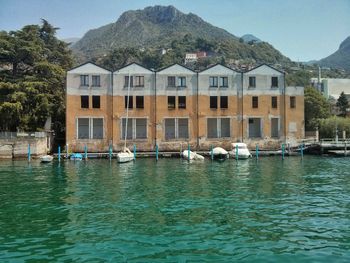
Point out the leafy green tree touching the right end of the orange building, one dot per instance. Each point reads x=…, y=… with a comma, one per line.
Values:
x=316, y=107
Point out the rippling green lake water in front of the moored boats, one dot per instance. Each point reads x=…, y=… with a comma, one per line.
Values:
x=172, y=211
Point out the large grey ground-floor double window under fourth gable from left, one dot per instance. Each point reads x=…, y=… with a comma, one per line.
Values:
x=218, y=128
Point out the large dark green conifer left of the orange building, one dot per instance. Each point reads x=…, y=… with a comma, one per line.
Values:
x=32, y=79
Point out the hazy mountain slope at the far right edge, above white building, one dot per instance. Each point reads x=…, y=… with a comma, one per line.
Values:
x=340, y=58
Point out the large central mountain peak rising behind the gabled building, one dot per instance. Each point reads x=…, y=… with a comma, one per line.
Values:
x=160, y=27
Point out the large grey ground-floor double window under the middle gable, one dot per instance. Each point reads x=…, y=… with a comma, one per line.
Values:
x=176, y=128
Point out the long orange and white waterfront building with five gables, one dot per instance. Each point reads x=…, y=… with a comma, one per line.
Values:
x=176, y=106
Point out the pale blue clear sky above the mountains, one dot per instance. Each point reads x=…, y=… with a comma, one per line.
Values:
x=302, y=30
